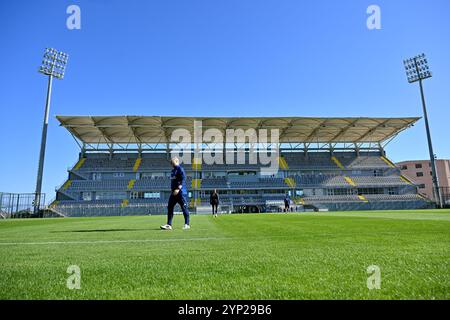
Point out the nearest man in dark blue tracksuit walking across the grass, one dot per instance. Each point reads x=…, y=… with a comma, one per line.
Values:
x=178, y=195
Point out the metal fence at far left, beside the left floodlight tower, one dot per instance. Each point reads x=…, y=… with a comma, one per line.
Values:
x=19, y=205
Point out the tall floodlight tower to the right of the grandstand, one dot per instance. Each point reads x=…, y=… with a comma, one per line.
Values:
x=417, y=69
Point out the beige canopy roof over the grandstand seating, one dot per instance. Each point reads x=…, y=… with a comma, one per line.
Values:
x=158, y=129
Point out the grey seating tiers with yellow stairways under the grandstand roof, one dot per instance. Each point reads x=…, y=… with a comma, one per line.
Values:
x=128, y=183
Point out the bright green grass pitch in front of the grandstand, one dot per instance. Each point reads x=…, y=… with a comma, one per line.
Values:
x=265, y=256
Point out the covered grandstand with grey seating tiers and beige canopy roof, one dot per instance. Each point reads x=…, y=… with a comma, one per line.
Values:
x=324, y=164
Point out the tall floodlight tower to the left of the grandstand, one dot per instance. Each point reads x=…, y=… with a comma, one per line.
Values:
x=53, y=65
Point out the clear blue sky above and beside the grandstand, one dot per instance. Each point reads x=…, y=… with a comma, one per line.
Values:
x=216, y=57
